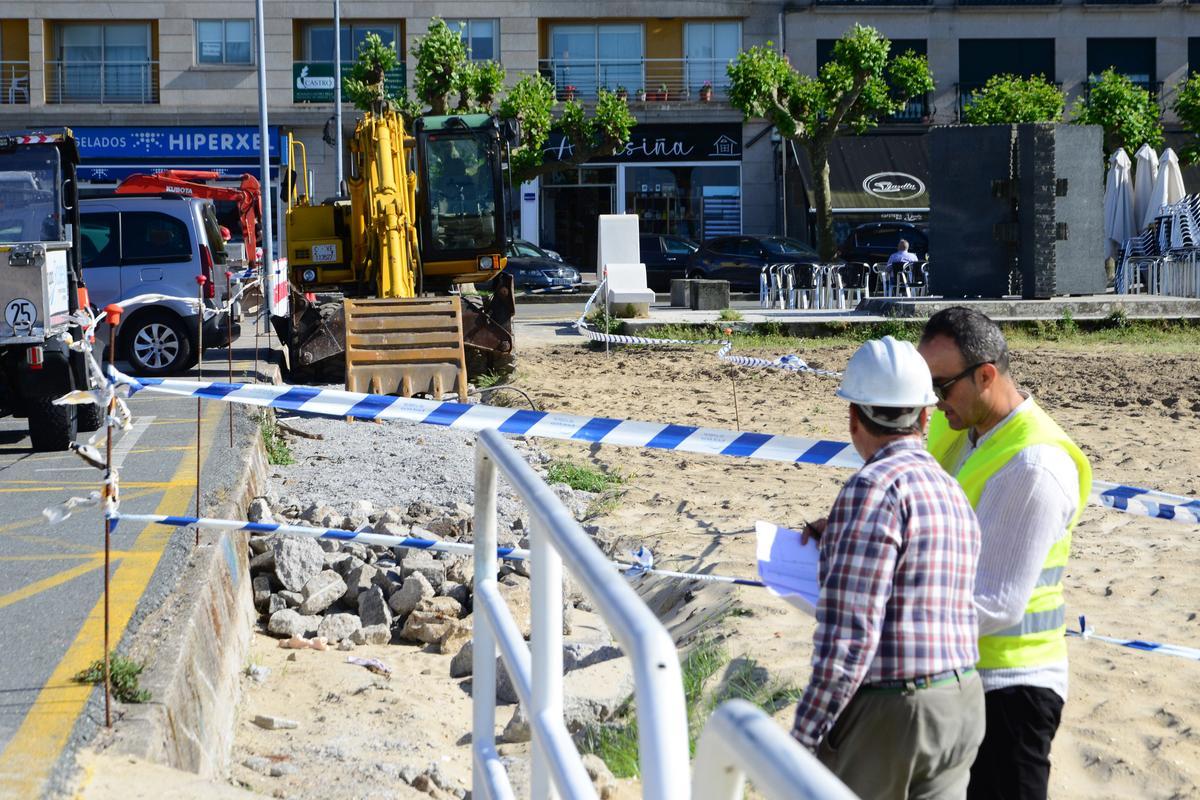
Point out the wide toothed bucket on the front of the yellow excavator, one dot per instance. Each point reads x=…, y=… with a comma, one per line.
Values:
x=405, y=347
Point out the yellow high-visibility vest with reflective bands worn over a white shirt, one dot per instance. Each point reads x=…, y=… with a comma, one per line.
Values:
x=1040, y=637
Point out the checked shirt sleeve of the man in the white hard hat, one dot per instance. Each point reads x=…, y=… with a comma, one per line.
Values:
x=859, y=557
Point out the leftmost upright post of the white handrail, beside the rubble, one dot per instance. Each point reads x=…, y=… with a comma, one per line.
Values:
x=483, y=691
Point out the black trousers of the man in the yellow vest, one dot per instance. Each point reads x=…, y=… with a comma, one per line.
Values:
x=1015, y=759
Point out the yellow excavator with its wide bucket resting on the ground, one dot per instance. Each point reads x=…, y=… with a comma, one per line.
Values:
x=377, y=279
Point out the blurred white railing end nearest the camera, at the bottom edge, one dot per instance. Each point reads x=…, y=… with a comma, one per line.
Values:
x=741, y=742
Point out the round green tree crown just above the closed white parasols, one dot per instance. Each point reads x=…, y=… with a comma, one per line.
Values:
x=1129, y=113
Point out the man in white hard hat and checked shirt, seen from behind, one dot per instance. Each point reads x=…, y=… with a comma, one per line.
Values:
x=895, y=707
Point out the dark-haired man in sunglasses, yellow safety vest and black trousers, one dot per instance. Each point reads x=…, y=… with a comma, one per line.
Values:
x=1028, y=483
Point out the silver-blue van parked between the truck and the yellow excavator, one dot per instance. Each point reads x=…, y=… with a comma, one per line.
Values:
x=146, y=254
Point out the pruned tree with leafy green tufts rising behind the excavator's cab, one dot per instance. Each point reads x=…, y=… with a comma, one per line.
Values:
x=448, y=82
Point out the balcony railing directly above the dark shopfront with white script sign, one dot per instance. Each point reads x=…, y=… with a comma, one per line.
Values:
x=644, y=80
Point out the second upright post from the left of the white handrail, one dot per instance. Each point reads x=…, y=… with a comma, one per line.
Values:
x=547, y=605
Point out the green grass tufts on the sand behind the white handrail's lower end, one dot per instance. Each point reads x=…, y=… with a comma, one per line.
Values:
x=616, y=743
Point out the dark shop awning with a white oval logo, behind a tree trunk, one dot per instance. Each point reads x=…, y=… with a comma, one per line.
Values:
x=881, y=172
